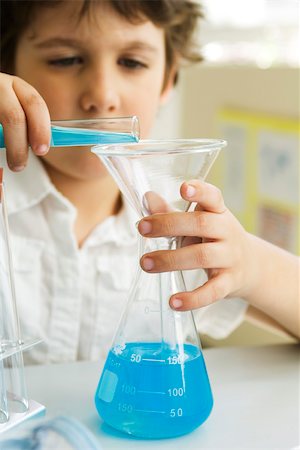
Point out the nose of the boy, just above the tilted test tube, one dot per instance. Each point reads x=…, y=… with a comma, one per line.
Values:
x=100, y=95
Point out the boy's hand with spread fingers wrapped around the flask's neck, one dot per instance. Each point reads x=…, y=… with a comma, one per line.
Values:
x=213, y=240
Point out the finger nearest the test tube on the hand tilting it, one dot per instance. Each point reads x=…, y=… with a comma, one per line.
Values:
x=37, y=116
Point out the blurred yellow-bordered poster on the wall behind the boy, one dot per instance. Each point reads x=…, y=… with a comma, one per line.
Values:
x=259, y=174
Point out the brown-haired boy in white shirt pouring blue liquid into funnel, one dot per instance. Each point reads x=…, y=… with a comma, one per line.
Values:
x=74, y=249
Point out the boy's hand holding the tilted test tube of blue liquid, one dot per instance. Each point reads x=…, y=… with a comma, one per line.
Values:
x=25, y=120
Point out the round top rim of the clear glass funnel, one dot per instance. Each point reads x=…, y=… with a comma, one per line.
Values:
x=159, y=146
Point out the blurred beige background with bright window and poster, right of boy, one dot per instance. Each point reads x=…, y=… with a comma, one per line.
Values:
x=249, y=81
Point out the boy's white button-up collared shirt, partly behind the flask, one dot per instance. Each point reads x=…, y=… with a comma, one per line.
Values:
x=73, y=298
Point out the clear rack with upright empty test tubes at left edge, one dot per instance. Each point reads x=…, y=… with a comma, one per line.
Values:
x=15, y=407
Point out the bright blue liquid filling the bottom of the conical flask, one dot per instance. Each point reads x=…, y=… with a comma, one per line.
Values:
x=148, y=391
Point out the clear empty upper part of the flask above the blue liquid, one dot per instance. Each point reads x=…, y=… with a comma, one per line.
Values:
x=148, y=316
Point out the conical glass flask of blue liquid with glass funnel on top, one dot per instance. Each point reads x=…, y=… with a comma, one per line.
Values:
x=154, y=383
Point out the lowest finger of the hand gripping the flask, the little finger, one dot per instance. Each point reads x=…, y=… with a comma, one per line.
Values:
x=214, y=289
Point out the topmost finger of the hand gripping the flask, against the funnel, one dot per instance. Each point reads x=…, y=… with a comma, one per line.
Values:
x=208, y=197
